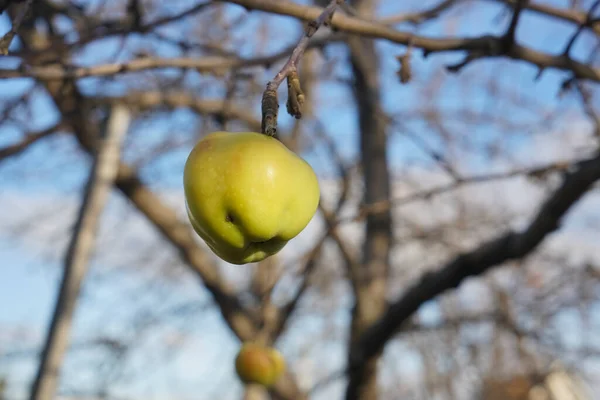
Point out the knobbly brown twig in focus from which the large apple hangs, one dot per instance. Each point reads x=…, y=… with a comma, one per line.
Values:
x=270, y=104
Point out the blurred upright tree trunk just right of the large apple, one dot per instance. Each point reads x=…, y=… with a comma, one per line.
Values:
x=370, y=289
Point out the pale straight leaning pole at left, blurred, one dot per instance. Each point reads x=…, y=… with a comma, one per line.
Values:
x=101, y=179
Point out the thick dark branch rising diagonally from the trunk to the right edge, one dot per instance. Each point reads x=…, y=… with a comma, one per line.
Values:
x=510, y=246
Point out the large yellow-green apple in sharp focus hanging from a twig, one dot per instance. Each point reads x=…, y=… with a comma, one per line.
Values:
x=247, y=194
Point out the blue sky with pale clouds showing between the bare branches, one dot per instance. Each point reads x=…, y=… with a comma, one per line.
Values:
x=39, y=195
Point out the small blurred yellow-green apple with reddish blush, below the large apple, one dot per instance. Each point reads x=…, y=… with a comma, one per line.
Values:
x=259, y=364
